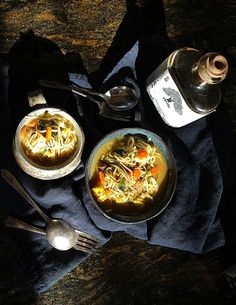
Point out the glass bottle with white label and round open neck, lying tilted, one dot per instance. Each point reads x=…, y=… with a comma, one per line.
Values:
x=185, y=87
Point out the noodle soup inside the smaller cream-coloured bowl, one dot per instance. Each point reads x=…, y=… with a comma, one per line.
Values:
x=48, y=139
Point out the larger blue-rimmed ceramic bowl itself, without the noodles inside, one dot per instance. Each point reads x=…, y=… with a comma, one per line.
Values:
x=161, y=200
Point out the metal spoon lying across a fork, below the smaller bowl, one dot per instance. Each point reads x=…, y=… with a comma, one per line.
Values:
x=61, y=235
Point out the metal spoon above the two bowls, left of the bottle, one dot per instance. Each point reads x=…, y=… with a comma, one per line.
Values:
x=119, y=98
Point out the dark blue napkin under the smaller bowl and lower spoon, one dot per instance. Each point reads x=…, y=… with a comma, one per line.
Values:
x=39, y=263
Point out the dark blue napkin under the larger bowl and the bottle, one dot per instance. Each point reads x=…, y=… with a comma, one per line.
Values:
x=190, y=222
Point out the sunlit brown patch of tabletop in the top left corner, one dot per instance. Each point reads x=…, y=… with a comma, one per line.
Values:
x=87, y=27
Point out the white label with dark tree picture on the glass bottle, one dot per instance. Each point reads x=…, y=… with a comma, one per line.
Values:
x=168, y=100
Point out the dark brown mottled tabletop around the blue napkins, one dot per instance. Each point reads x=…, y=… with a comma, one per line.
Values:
x=125, y=270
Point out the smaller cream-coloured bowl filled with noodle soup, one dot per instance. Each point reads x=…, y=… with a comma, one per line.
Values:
x=48, y=143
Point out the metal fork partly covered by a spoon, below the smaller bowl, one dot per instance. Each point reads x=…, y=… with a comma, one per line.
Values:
x=85, y=242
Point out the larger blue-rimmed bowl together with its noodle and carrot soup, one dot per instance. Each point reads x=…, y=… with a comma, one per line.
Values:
x=130, y=175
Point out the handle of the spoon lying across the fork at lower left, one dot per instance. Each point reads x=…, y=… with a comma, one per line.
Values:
x=8, y=177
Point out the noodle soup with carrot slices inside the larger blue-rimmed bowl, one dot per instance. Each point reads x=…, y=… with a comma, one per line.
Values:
x=128, y=174
